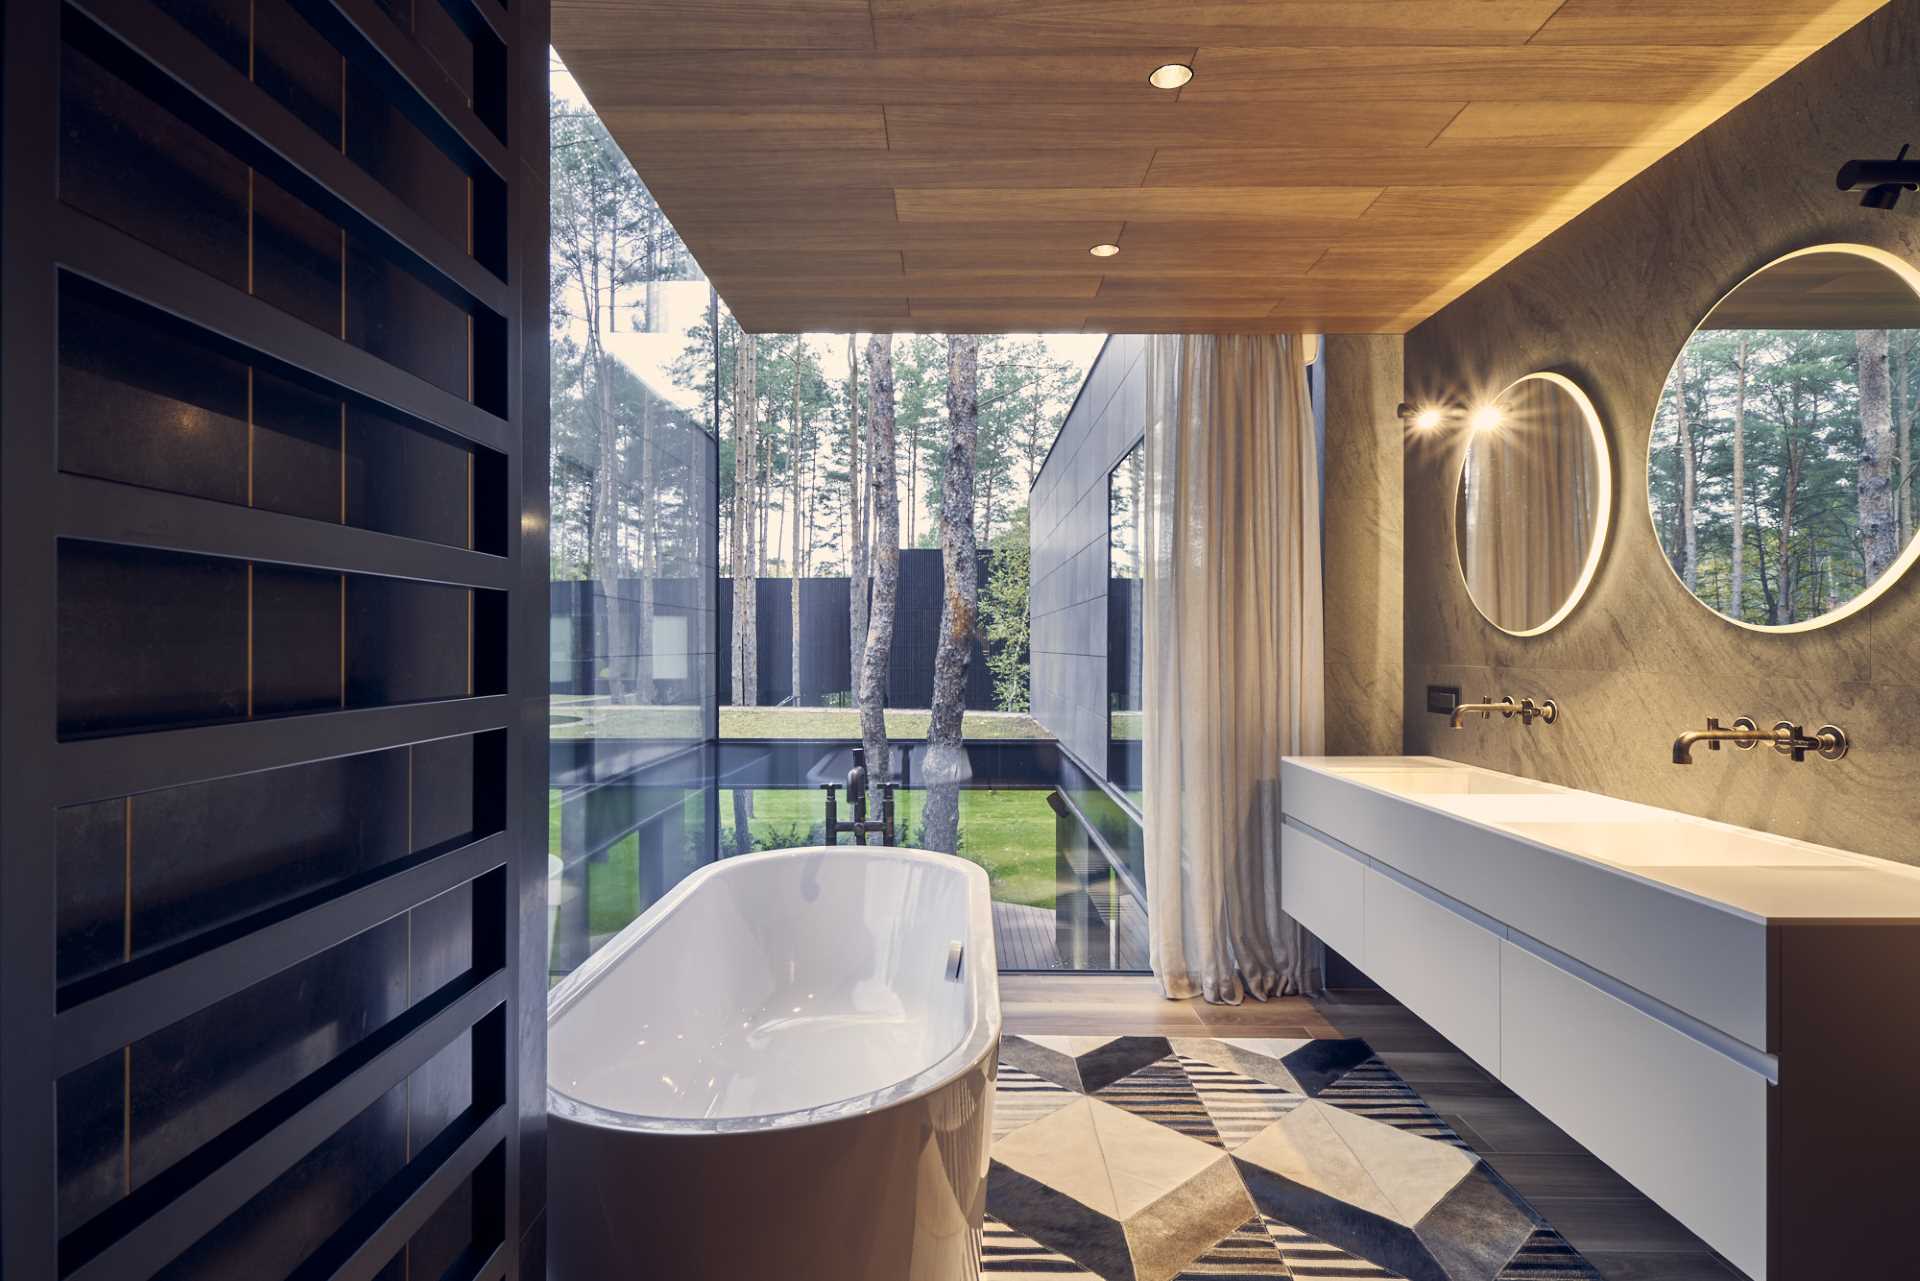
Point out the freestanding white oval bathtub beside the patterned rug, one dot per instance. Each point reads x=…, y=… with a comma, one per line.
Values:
x=784, y=1069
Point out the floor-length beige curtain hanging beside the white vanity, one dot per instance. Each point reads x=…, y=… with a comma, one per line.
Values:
x=1234, y=658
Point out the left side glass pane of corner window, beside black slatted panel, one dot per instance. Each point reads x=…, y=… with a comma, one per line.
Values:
x=633, y=546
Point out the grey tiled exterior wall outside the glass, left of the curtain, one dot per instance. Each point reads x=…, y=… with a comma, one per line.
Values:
x=1068, y=512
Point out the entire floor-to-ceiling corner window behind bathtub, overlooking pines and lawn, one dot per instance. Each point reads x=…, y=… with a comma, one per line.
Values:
x=713, y=523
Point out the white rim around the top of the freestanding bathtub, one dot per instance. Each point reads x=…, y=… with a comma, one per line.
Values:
x=980, y=1044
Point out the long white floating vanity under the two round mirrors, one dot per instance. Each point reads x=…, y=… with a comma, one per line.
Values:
x=1719, y=1015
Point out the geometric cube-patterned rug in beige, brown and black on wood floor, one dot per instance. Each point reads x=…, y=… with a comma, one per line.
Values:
x=1191, y=1159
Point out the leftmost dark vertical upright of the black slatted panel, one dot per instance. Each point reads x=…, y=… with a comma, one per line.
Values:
x=28, y=404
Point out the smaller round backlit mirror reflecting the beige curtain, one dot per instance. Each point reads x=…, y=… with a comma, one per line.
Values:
x=1531, y=514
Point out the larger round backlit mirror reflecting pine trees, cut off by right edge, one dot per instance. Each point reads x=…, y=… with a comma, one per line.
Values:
x=1779, y=466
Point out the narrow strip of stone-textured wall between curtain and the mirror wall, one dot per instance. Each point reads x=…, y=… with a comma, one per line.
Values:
x=1362, y=554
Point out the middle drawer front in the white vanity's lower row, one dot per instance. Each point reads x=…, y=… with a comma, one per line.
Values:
x=1437, y=963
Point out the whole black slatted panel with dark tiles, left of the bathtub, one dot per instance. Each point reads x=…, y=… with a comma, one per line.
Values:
x=274, y=577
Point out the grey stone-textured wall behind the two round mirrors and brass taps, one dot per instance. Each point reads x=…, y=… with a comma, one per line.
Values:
x=1610, y=301
